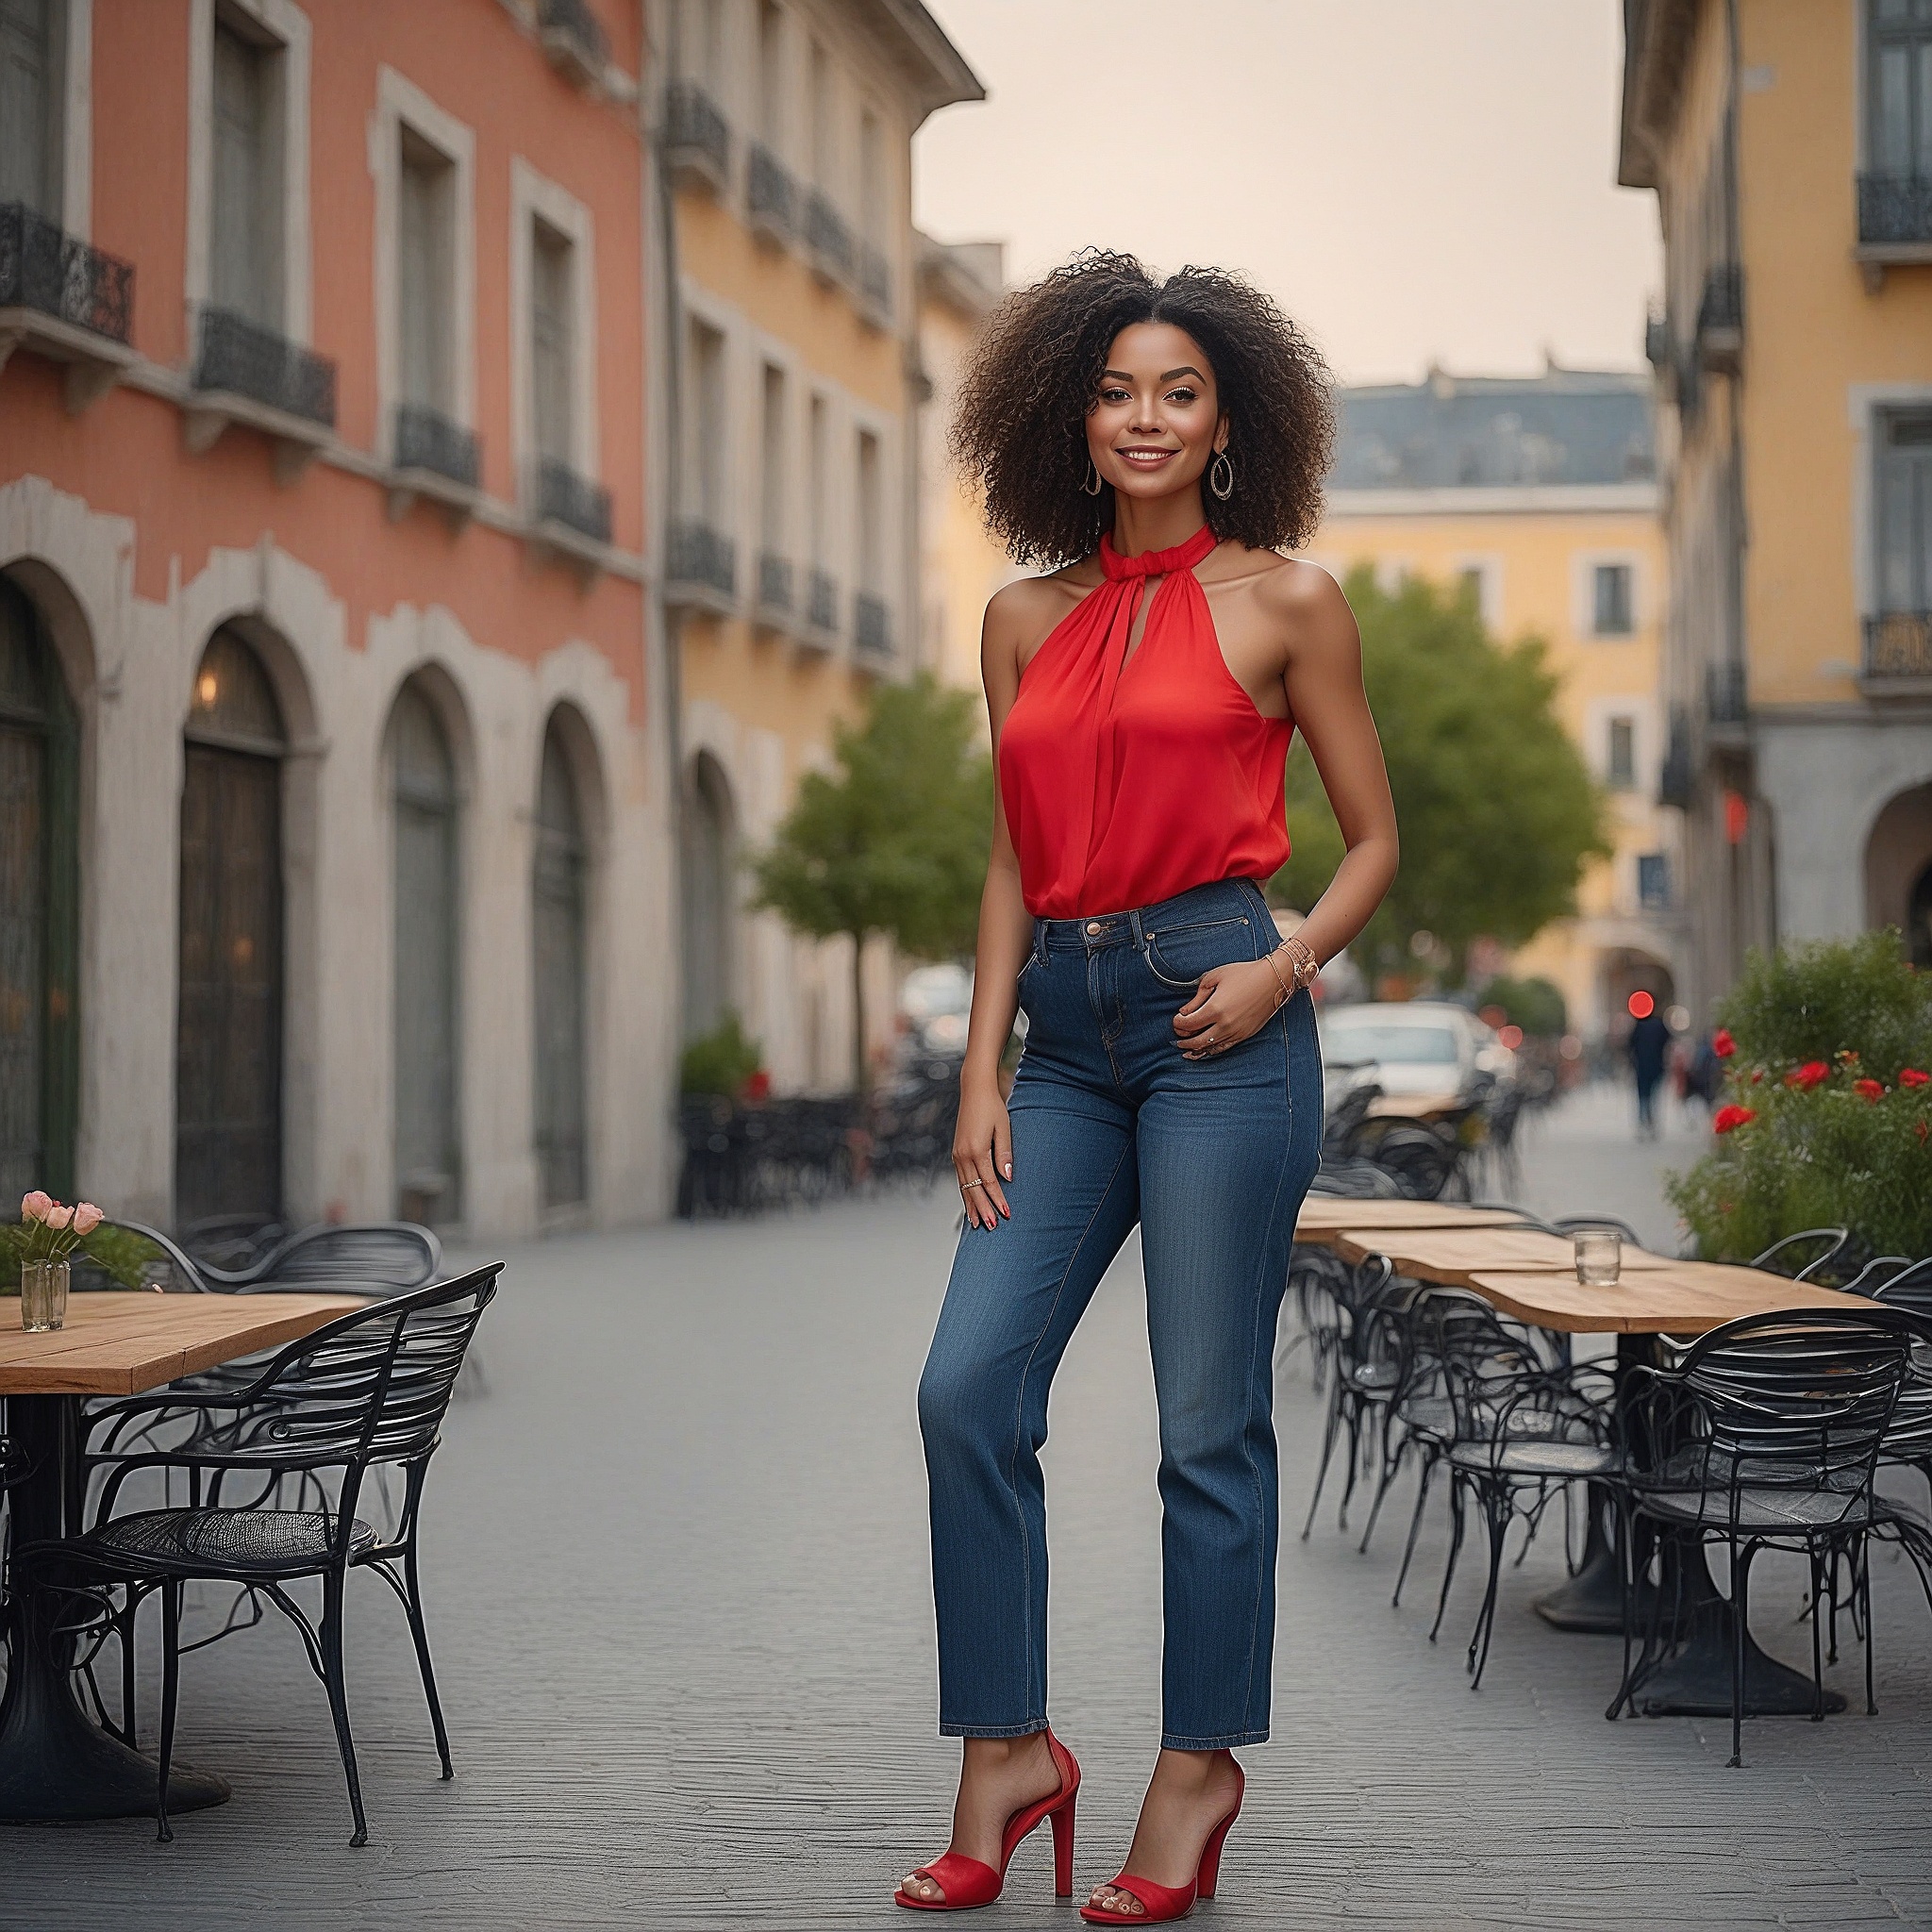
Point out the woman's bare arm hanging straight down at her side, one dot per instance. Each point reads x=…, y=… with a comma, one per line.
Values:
x=982, y=1143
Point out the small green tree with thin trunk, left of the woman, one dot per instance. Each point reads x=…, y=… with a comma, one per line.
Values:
x=894, y=841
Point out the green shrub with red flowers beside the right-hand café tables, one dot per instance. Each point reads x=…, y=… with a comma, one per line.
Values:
x=1827, y=1116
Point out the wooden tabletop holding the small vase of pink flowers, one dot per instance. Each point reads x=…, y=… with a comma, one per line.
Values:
x=127, y=1344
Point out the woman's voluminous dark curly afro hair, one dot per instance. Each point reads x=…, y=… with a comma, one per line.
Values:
x=1021, y=426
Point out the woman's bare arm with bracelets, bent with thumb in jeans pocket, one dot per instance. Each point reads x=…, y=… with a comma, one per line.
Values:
x=1330, y=708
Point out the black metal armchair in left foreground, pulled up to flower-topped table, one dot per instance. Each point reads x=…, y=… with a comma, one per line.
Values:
x=368, y=1390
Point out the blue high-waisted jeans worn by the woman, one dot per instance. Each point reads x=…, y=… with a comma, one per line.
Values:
x=1112, y=1127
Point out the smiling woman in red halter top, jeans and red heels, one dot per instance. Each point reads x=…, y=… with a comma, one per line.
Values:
x=1143, y=698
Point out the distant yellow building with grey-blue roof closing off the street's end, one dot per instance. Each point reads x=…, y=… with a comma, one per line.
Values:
x=1539, y=497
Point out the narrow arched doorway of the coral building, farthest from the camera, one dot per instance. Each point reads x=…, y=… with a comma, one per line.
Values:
x=559, y=923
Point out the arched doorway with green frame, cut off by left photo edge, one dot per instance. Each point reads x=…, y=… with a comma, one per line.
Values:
x=40, y=926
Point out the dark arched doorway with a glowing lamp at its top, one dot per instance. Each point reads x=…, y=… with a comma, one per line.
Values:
x=229, y=1042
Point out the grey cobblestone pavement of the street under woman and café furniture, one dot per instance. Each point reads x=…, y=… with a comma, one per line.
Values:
x=679, y=1597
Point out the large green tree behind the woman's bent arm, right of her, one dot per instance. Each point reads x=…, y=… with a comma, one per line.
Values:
x=1496, y=809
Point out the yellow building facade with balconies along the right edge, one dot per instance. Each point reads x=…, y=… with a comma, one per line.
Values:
x=1790, y=146
